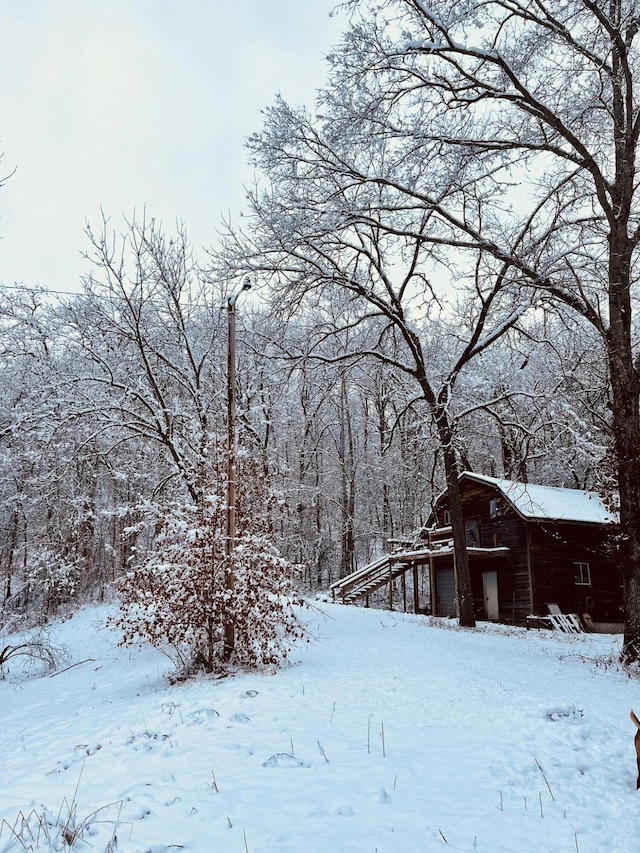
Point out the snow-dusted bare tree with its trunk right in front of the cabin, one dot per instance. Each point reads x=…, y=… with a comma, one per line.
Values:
x=326, y=234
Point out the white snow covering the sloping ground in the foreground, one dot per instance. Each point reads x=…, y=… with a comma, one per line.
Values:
x=390, y=733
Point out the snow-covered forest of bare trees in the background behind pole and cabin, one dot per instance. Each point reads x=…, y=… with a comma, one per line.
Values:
x=114, y=406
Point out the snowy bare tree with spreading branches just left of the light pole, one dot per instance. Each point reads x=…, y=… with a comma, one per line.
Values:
x=148, y=342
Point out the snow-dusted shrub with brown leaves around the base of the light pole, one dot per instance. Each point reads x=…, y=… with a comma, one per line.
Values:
x=179, y=597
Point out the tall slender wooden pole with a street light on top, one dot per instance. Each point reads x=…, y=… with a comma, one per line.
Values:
x=229, y=579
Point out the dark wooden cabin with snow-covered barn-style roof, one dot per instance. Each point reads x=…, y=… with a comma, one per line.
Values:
x=528, y=546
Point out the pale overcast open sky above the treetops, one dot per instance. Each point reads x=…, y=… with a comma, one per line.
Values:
x=124, y=103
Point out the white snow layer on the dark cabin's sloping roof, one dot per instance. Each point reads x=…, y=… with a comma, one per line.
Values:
x=548, y=502
